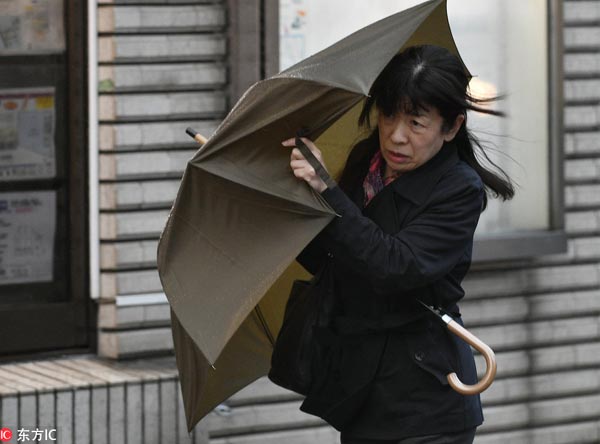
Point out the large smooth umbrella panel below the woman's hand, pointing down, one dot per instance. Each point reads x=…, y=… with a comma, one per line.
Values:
x=214, y=274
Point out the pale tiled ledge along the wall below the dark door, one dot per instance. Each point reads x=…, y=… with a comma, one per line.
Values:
x=91, y=400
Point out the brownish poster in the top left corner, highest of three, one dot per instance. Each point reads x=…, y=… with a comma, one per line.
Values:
x=31, y=27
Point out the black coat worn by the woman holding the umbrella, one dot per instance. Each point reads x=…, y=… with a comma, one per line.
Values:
x=387, y=369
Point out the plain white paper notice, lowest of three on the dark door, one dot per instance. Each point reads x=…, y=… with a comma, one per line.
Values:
x=27, y=223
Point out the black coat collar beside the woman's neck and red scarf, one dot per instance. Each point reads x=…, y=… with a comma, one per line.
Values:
x=417, y=185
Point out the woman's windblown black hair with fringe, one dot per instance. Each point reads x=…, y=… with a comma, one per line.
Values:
x=425, y=76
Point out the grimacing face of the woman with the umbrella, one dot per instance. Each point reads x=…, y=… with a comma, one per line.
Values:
x=408, y=141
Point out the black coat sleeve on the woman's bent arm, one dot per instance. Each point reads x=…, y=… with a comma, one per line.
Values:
x=422, y=252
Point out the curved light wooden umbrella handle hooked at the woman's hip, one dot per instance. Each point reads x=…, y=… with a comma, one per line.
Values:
x=485, y=350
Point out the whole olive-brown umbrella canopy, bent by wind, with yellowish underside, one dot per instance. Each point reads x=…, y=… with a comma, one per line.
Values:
x=226, y=255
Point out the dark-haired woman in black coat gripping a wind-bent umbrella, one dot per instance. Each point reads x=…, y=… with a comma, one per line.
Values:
x=409, y=198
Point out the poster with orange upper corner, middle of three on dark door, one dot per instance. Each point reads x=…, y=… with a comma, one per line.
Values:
x=27, y=122
